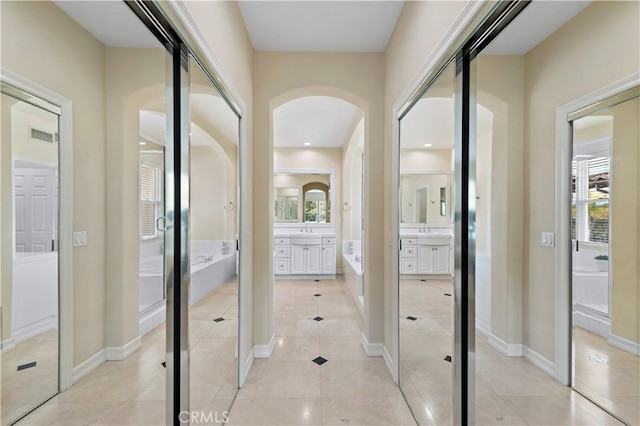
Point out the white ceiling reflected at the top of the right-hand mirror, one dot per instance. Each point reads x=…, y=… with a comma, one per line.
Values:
x=538, y=21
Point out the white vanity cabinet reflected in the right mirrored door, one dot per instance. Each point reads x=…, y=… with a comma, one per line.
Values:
x=425, y=255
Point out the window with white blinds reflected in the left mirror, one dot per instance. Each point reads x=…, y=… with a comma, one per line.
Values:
x=150, y=199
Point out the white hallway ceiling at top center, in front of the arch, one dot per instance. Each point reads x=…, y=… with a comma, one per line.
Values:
x=320, y=26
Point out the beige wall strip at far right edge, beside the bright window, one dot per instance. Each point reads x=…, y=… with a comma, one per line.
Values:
x=625, y=221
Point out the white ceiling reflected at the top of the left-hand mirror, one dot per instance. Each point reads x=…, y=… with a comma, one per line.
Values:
x=111, y=22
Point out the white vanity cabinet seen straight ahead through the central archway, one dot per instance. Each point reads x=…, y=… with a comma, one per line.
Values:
x=305, y=255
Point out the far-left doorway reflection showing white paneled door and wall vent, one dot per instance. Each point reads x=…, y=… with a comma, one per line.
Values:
x=29, y=315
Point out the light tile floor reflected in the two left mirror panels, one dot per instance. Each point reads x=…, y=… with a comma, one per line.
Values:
x=133, y=391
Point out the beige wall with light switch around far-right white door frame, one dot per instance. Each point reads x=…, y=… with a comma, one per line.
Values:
x=607, y=31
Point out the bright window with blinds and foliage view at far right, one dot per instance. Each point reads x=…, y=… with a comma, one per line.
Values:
x=590, y=199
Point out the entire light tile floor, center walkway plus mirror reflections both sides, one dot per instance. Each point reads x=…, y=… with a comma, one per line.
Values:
x=349, y=389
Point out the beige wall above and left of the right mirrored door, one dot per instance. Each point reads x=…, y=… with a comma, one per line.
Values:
x=420, y=27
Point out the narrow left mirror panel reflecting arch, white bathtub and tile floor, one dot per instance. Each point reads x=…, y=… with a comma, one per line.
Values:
x=213, y=293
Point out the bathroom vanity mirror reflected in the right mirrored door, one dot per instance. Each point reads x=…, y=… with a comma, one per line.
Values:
x=425, y=198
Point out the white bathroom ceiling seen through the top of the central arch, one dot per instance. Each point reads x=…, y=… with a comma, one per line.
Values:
x=324, y=121
